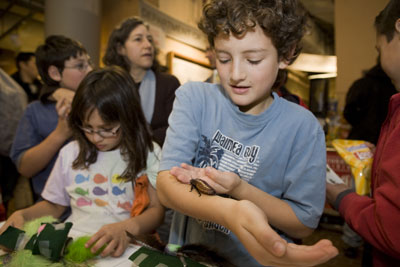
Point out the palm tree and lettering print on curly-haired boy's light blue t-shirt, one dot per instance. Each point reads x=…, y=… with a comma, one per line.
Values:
x=226, y=154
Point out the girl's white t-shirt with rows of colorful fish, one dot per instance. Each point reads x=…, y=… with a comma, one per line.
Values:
x=97, y=195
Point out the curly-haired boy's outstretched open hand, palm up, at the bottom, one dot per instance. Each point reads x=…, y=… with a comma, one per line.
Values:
x=266, y=246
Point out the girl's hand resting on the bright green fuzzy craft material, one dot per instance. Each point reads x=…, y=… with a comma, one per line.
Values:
x=113, y=236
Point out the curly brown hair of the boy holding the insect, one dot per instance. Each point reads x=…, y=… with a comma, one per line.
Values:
x=284, y=21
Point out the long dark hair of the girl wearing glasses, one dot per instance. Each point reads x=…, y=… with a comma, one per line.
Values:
x=112, y=92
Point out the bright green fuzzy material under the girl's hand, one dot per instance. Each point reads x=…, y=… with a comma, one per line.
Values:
x=77, y=252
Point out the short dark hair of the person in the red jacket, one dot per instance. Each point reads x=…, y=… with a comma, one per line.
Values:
x=385, y=21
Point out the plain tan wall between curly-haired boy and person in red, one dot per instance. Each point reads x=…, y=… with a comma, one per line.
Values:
x=354, y=40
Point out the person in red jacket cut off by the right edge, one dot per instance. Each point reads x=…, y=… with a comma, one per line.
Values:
x=376, y=218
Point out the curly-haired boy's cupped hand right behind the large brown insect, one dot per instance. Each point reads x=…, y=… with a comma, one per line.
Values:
x=221, y=182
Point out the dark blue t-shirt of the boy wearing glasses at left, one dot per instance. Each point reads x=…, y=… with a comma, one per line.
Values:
x=38, y=121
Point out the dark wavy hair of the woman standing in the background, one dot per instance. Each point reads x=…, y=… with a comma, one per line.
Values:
x=118, y=38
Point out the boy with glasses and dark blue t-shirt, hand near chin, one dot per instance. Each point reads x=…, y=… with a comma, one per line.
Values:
x=43, y=130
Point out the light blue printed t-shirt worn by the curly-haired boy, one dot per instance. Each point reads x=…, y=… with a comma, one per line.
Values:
x=280, y=151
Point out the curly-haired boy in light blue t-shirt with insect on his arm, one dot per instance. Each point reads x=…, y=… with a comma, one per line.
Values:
x=265, y=153
